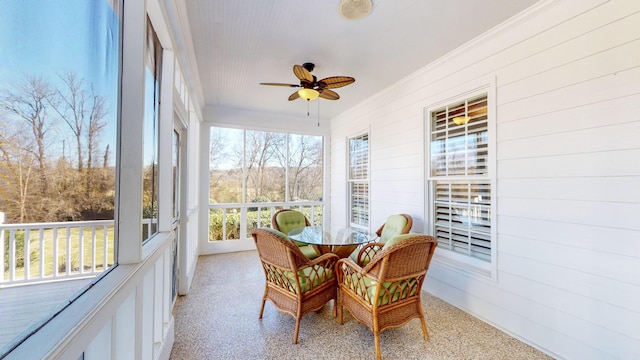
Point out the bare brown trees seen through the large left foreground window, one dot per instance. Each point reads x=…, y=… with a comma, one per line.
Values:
x=54, y=165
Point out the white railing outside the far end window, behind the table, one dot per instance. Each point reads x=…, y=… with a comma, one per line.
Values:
x=235, y=221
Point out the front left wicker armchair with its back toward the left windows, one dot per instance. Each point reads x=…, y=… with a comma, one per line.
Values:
x=295, y=284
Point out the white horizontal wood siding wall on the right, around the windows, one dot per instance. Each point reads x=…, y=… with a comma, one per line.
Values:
x=568, y=169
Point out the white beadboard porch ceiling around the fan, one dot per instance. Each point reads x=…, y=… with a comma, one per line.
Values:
x=239, y=43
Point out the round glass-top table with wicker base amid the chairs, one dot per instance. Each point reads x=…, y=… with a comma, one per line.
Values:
x=342, y=244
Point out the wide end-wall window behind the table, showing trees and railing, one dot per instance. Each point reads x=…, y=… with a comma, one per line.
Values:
x=253, y=173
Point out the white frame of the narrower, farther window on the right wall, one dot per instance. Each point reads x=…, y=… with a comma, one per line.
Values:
x=350, y=182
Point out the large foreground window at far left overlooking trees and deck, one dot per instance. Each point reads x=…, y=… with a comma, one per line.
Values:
x=59, y=81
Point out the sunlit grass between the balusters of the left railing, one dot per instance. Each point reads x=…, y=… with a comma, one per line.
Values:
x=47, y=259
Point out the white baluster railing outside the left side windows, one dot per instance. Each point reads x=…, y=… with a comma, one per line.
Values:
x=39, y=252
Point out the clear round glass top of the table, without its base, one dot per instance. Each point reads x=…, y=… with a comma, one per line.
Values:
x=316, y=236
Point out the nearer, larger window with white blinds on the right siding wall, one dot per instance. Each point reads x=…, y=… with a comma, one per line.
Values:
x=459, y=177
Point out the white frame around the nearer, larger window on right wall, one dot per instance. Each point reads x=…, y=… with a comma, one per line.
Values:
x=454, y=260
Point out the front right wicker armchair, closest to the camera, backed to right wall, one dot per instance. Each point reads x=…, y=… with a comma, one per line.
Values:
x=386, y=293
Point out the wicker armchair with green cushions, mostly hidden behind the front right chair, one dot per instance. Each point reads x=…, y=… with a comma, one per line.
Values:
x=397, y=224
